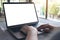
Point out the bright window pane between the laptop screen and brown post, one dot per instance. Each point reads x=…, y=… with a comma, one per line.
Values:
x=40, y=7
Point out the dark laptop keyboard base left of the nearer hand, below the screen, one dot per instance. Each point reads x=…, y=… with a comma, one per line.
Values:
x=16, y=33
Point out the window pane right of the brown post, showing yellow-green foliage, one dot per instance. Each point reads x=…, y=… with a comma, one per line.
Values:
x=54, y=10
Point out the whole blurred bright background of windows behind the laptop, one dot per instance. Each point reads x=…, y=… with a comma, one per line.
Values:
x=49, y=9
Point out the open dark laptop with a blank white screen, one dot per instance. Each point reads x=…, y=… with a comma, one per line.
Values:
x=19, y=14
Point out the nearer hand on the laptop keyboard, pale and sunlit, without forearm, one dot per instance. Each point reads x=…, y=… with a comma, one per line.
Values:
x=29, y=29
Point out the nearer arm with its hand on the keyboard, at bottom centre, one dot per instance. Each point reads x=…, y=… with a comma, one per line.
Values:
x=31, y=32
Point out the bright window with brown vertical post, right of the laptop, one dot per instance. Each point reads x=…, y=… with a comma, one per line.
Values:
x=49, y=9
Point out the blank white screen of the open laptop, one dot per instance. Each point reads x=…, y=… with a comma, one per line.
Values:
x=19, y=14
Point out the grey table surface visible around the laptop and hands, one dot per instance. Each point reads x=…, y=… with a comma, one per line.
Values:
x=4, y=35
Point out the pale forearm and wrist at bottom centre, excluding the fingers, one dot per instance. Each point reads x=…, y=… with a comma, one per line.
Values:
x=32, y=34
